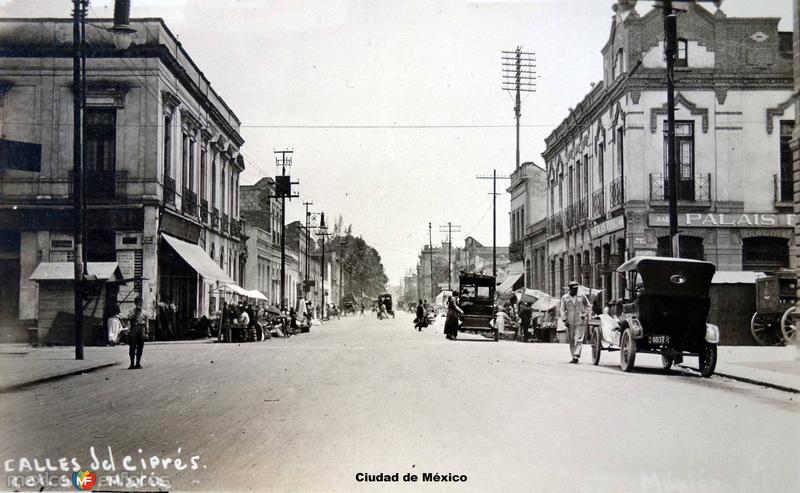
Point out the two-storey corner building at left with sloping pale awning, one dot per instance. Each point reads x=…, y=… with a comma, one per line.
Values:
x=161, y=165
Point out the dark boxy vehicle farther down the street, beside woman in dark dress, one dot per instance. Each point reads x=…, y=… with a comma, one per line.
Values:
x=477, y=303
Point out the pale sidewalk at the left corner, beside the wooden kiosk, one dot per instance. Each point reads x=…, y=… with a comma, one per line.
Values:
x=22, y=366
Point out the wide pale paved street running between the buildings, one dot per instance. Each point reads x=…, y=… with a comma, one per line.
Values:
x=362, y=395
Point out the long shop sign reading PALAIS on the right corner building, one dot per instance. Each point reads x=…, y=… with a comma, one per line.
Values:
x=725, y=220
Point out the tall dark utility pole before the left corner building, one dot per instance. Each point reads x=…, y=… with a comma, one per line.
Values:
x=78, y=22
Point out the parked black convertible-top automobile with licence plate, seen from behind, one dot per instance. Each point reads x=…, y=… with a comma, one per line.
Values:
x=665, y=314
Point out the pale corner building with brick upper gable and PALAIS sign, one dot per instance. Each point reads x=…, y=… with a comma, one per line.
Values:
x=606, y=166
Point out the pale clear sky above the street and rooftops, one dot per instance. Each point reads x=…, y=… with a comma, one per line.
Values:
x=392, y=107
